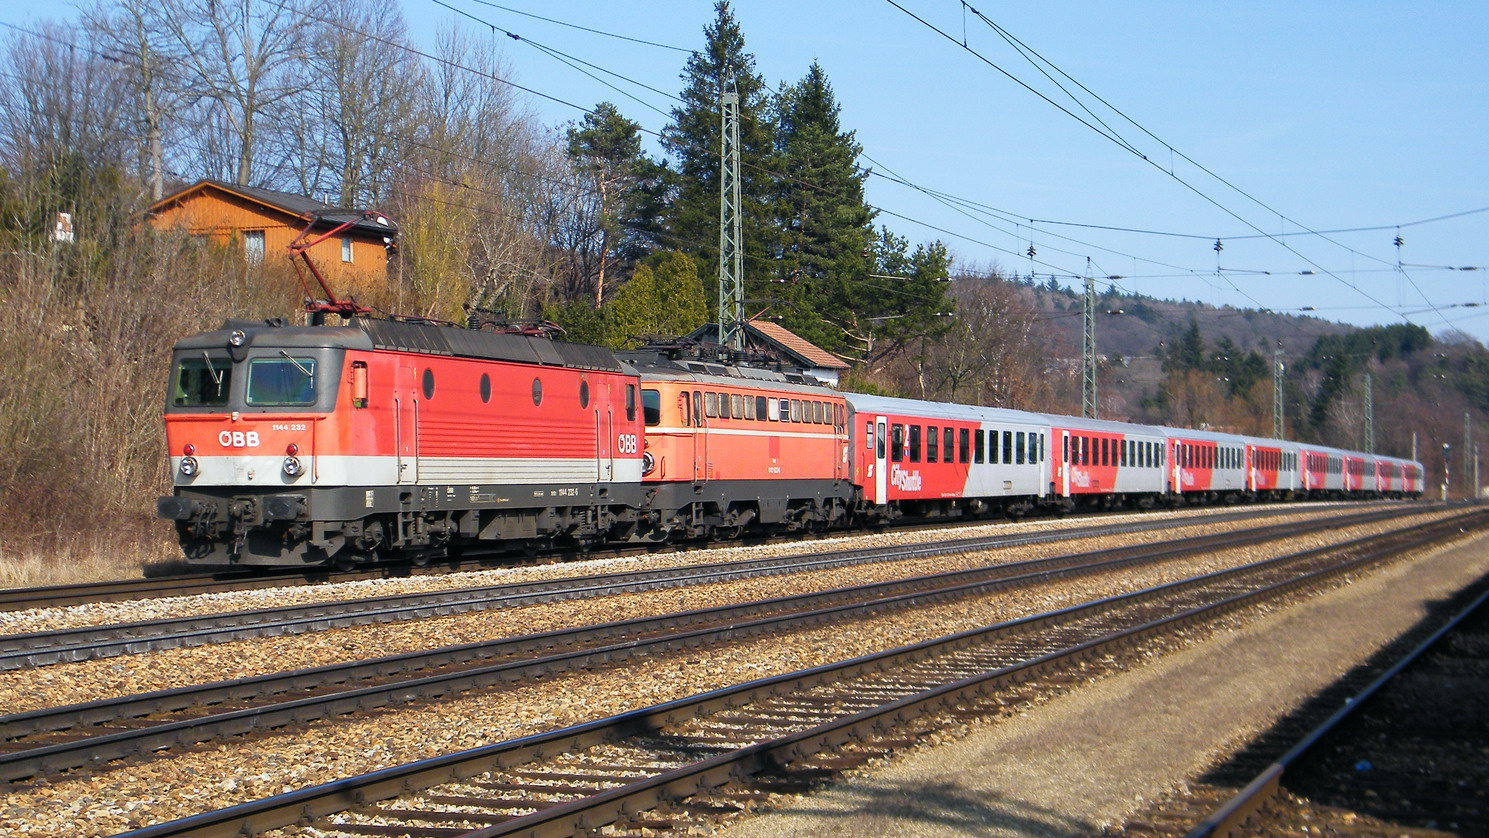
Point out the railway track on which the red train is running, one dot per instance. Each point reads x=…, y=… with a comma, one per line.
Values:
x=229, y=581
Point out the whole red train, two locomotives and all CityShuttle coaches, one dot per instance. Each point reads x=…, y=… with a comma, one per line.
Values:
x=339, y=444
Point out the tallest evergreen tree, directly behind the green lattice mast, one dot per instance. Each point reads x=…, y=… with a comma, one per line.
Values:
x=693, y=145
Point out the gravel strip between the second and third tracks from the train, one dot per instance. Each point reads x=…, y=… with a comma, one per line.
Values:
x=89, y=681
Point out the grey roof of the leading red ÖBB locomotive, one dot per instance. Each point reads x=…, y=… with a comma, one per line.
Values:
x=394, y=336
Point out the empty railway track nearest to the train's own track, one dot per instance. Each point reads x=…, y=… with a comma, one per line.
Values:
x=35, y=650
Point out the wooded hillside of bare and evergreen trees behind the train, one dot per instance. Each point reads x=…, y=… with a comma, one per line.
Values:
x=500, y=212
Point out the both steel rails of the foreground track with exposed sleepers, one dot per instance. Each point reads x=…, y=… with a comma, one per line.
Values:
x=306, y=806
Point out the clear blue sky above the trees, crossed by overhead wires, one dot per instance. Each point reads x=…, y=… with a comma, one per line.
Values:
x=1329, y=115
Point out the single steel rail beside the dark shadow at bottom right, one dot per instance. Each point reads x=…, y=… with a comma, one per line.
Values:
x=1231, y=818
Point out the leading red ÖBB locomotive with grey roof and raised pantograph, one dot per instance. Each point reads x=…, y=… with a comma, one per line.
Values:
x=296, y=446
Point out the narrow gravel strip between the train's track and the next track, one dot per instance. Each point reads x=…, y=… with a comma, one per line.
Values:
x=165, y=608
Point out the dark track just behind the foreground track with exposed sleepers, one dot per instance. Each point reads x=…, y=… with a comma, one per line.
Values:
x=468, y=669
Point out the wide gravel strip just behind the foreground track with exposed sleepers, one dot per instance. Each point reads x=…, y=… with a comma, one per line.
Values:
x=123, y=797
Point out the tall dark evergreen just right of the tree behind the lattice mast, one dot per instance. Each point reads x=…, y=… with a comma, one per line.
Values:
x=827, y=228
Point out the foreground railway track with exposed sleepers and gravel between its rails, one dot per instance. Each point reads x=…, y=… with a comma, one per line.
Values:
x=693, y=760
